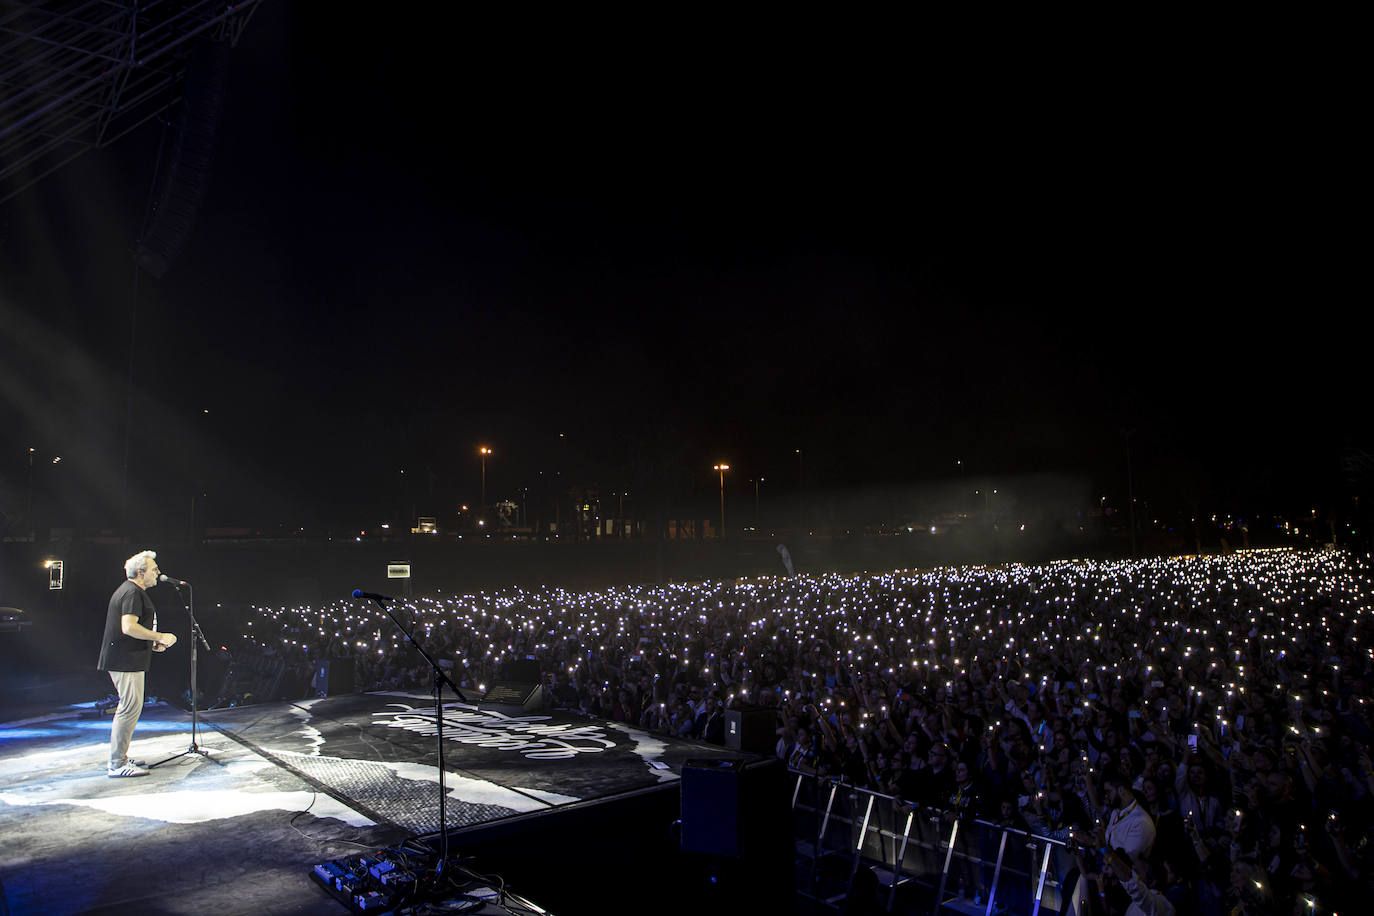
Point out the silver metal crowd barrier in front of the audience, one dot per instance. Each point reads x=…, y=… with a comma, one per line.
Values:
x=973, y=867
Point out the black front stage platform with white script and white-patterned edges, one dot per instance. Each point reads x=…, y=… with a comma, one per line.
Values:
x=377, y=755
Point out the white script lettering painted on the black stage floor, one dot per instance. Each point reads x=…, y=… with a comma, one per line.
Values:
x=531, y=735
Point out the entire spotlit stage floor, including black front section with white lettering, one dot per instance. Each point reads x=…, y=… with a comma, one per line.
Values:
x=286, y=786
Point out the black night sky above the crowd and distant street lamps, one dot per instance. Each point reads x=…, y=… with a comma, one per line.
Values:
x=613, y=257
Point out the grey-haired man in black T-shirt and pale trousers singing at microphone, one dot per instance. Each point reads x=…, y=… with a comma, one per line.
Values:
x=131, y=637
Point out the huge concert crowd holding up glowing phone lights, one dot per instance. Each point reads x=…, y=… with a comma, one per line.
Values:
x=1196, y=730
